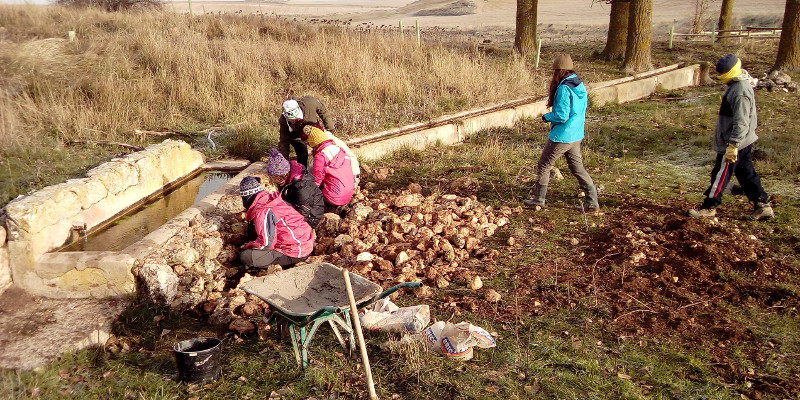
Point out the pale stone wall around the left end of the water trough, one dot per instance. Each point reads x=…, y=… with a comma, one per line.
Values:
x=43, y=221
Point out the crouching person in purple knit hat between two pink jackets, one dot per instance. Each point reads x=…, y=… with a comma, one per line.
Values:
x=297, y=186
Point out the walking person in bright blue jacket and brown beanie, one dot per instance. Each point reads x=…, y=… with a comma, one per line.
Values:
x=568, y=99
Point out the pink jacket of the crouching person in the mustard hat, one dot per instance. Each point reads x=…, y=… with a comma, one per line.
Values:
x=333, y=173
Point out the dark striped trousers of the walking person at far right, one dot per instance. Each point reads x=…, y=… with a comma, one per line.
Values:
x=745, y=174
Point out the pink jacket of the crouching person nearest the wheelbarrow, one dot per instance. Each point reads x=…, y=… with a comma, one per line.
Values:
x=279, y=226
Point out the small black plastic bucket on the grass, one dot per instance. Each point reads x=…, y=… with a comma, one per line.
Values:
x=198, y=359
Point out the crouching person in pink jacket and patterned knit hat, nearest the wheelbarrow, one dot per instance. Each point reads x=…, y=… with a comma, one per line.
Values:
x=282, y=235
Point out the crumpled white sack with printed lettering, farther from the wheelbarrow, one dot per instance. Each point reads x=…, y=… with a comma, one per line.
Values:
x=456, y=340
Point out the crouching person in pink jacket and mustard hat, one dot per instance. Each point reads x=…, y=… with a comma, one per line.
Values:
x=332, y=170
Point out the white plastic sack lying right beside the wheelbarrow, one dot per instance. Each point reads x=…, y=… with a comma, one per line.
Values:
x=386, y=316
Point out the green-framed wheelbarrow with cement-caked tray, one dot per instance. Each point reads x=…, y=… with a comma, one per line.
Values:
x=309, y=295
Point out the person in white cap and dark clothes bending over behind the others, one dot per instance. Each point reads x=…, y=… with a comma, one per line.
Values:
x=296, y=113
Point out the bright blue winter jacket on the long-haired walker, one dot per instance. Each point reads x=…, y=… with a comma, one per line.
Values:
x=569, y=111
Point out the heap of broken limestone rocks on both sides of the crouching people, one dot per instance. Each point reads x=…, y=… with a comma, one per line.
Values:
x=388, y=238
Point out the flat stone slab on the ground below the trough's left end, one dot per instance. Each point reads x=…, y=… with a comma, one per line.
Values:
x=36, y=330
